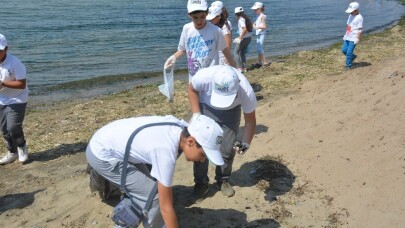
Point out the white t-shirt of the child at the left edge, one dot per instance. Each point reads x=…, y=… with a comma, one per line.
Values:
x=11, y=70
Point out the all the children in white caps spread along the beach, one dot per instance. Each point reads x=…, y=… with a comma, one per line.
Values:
x=146, y=148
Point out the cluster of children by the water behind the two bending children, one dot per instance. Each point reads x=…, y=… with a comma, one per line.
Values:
x=217, y=35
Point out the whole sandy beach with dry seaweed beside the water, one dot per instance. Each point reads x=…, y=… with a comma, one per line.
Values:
x=329, y=149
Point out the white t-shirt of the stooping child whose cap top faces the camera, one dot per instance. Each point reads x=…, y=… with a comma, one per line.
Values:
x=202, y=82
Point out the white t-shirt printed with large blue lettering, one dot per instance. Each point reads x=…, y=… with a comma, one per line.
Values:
x=201, y=46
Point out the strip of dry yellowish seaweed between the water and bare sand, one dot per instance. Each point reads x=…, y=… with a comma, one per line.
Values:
x=281, y=78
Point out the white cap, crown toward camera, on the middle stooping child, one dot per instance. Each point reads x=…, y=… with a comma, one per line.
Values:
x=225, y=86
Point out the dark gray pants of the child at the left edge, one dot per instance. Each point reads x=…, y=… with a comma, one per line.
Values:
x=11, y=120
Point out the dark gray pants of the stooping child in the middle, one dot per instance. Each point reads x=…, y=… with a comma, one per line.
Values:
x=229, y=120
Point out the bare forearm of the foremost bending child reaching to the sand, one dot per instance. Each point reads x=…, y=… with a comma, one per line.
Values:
x=166, y=206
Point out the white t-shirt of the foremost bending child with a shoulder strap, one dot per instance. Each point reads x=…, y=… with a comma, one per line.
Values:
x=157, y=145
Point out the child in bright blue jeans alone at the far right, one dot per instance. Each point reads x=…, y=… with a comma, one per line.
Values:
x=353, y=33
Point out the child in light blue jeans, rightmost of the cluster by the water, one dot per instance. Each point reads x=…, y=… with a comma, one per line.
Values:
x=260, y=27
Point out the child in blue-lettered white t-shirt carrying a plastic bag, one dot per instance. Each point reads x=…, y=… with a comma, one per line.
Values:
x=200, y=41
